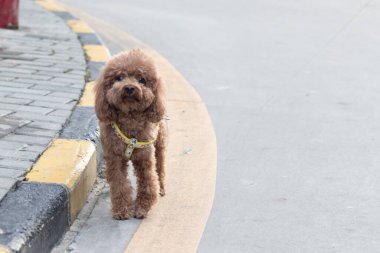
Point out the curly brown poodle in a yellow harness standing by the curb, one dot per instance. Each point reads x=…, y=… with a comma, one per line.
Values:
x=130, y=106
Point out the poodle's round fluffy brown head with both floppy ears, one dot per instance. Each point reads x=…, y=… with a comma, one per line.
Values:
x=129, y=84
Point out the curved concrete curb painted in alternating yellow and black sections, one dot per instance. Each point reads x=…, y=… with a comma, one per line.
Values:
x=44, y=206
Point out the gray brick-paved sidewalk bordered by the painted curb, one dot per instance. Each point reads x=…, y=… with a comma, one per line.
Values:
x=42, y=69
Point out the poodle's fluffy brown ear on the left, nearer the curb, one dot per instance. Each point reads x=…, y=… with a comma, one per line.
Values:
x=103, y=109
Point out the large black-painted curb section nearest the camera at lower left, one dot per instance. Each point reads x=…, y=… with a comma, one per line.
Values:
x=34, y=217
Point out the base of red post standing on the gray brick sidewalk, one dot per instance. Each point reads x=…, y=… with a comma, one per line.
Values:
x=9, y=14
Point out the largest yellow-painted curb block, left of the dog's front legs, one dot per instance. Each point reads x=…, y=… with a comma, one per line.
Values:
x=71, y=163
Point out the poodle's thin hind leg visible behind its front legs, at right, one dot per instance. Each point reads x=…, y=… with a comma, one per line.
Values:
x=160, y=157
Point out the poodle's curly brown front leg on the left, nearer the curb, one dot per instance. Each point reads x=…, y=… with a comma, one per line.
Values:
x=120, y=188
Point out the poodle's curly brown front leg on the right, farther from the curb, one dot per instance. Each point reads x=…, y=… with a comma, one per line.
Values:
x=147, y=182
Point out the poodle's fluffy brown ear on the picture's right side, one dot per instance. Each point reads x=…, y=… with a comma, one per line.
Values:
x=156, y=111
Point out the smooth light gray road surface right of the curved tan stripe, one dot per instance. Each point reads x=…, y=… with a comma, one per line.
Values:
x=293, y=91
